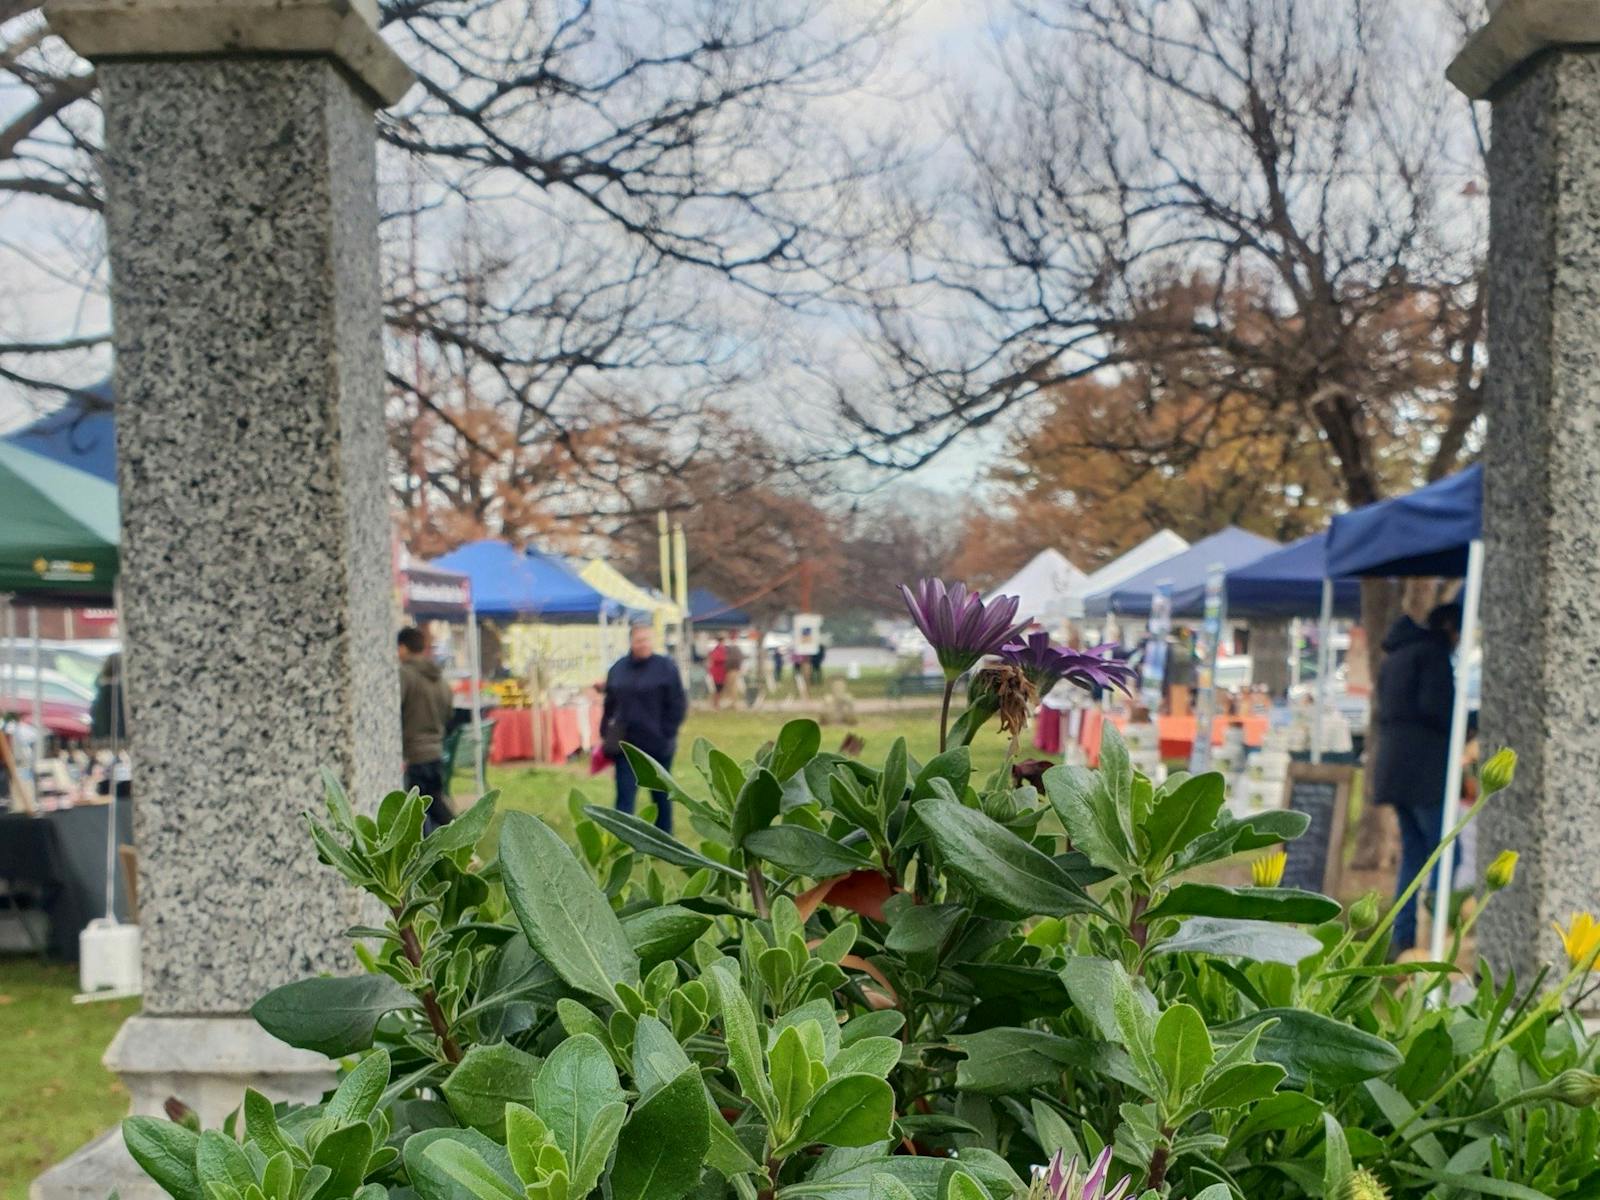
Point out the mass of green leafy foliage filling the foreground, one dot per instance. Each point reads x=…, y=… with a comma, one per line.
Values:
x=884, y=982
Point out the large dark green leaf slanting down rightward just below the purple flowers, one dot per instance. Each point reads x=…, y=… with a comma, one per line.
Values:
x=1001, y=866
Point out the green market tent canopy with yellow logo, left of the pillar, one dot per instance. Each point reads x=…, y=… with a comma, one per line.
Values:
x=60, y=530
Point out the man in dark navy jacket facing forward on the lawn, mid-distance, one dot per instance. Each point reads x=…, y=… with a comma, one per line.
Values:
x=646, y=708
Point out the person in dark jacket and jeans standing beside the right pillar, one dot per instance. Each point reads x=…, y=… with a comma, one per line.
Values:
x=1417, y=695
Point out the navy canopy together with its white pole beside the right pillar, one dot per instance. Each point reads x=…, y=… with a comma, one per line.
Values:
x=1433, y=532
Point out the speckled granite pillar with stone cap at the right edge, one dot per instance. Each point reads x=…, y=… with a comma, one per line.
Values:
x=1537, y=62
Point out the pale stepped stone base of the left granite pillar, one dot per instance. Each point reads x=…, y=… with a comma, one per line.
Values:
x=204, y=1062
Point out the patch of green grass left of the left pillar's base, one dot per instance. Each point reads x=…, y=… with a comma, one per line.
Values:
x=55, y=1095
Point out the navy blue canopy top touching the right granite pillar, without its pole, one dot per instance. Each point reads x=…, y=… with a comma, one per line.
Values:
x=1422, y=534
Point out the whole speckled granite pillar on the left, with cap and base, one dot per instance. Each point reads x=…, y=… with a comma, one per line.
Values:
x=239, y=164
